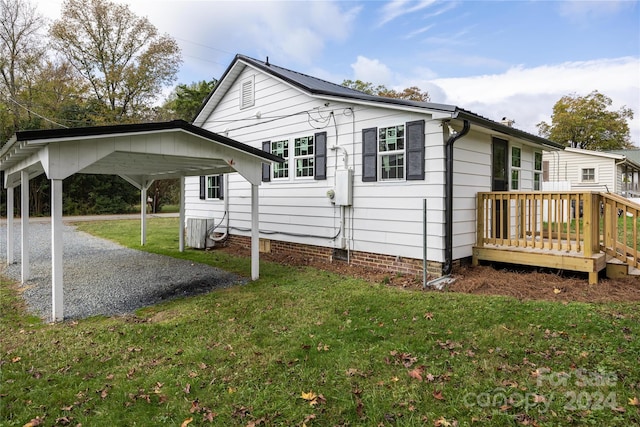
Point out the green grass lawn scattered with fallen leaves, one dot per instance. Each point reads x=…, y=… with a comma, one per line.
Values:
x=308, y=347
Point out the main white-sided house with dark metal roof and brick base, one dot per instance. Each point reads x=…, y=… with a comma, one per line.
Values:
x=362, y=174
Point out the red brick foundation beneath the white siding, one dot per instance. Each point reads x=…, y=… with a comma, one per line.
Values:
x=390, y=263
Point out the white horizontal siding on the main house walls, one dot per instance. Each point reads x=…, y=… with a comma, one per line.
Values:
x=387, y=215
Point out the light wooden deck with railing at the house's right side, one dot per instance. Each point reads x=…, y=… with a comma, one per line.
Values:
x=561, y=230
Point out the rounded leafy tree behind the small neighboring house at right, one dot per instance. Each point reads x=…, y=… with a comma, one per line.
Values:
x=586, y=122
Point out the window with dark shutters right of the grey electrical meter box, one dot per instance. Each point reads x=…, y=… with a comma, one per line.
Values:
x=394, y=153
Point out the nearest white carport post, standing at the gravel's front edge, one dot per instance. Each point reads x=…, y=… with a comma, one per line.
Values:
x=57, y=300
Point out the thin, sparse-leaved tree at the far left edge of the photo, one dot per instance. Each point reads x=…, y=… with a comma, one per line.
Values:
x=20, y=52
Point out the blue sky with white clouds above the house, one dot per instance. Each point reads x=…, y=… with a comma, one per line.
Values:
x=495, y=58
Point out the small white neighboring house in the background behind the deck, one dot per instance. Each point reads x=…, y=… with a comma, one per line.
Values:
x=587, y=170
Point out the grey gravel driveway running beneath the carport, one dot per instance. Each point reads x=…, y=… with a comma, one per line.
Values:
x=102, y=277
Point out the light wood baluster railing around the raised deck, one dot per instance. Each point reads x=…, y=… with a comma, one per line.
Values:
x=569, y=221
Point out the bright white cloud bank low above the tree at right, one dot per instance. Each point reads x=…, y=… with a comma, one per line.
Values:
x=527, y=95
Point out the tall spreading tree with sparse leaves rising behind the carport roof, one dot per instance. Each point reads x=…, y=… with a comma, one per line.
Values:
x=121, y=56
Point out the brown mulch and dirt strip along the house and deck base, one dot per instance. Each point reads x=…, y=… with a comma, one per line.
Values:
x=519, y=282
